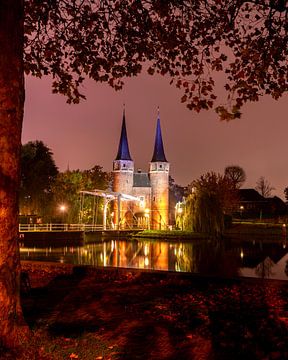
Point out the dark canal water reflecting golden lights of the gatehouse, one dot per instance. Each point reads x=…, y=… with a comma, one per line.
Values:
x=258, y=259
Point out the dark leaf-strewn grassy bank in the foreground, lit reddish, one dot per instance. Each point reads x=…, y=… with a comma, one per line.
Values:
x=85, y=313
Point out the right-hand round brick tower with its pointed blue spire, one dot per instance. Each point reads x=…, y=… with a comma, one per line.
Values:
x=159, y=179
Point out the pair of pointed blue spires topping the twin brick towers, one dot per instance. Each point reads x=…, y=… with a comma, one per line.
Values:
x=123, y=149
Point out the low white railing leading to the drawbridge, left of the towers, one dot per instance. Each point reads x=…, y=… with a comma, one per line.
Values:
x=59, y=227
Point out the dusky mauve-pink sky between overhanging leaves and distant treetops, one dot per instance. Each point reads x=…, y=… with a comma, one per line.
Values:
x=81, y=136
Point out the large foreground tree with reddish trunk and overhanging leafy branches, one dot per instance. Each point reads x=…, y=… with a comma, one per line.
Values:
x=108, y=40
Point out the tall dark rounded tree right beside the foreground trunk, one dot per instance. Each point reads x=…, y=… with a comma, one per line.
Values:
x=38, y=174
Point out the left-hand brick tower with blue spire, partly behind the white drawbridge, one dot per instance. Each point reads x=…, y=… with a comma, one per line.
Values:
x=123, y=169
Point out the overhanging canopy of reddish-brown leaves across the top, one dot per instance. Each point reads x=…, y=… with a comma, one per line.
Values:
x=188, y=41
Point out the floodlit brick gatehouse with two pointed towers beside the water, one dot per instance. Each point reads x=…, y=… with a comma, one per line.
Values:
x=151, y=188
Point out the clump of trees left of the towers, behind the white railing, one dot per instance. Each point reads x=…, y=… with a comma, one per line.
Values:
x=44, y=189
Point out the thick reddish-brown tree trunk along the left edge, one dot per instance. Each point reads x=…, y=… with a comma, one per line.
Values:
x=13, y=329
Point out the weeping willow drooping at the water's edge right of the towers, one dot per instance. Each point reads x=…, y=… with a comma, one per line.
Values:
x=211, y=197
